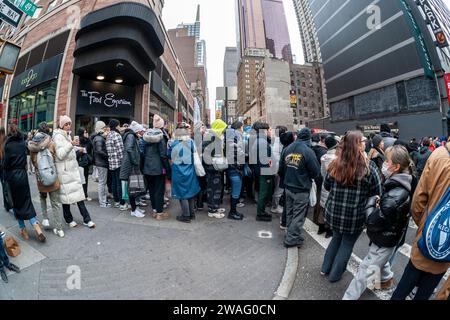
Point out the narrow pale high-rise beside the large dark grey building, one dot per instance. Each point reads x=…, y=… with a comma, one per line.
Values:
x=310, y=42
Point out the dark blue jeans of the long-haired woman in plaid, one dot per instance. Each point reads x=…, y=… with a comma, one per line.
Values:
x=338, y=254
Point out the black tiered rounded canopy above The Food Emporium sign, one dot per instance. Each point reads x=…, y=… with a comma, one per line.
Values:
x=120, y=41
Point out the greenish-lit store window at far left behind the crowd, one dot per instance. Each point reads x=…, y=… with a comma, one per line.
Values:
x=33, y=107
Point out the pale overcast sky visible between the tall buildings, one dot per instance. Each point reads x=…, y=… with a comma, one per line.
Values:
x=218, y=29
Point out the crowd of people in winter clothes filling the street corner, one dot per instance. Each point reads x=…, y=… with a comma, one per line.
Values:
x=352, y=182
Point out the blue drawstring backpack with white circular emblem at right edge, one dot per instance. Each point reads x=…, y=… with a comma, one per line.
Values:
x=435, y=241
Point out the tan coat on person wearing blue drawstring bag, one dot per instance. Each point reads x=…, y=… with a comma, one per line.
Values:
x=433, y=184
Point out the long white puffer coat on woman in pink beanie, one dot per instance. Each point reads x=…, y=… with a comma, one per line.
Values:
x=71, y=190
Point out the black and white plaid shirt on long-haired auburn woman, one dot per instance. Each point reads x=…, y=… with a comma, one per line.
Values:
x=345, y=205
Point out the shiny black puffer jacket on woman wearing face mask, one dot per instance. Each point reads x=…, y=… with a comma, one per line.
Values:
x=393, y=216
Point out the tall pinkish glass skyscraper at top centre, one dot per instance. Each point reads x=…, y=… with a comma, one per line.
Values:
x=262, y=24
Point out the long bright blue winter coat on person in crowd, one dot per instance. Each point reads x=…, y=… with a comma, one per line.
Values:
x=185, y=184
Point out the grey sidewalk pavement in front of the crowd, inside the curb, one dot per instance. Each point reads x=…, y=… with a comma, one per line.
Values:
x=129, y=258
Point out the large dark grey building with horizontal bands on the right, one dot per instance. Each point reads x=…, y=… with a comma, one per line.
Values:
x=386, y=72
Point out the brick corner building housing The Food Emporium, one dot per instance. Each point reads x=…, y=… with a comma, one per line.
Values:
x=66, y=66
